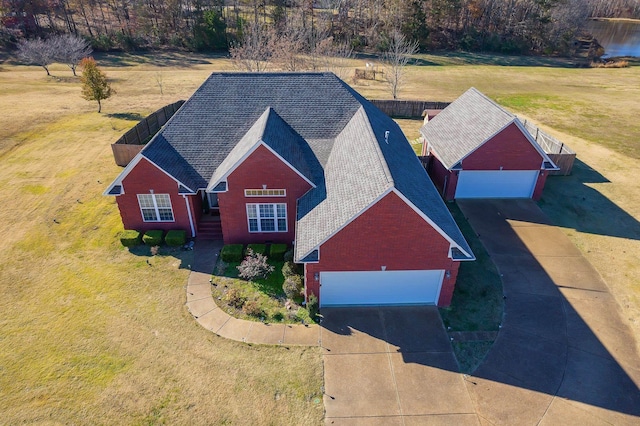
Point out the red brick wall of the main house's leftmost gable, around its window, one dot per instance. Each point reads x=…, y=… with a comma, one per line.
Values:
x=141, y=180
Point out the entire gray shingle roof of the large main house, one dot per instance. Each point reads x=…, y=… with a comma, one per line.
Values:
x=320, y=125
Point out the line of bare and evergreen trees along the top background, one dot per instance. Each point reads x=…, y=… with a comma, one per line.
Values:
x=508, y=26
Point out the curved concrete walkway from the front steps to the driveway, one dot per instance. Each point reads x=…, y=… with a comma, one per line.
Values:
x=209, y=315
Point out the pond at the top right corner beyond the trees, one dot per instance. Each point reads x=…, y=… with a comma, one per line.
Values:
x=619, y=38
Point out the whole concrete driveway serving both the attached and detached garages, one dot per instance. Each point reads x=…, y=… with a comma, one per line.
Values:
x=563, y=355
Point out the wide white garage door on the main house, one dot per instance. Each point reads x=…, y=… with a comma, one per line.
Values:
x=380, y=288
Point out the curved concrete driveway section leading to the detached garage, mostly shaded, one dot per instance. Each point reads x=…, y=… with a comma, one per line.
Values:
x=564, y=355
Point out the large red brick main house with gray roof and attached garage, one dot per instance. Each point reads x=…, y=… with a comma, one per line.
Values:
x=305, y=160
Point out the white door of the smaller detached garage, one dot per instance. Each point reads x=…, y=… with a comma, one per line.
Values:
x=496, y=184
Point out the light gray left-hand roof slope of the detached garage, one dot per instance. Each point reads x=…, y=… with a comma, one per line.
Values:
x=464, y=125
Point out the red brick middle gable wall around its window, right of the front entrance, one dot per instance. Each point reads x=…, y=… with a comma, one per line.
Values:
x=262, y=167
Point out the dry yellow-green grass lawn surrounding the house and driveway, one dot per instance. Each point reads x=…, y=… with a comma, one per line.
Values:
x=89, y=333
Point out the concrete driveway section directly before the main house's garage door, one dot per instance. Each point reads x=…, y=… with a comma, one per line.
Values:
x=391, y=366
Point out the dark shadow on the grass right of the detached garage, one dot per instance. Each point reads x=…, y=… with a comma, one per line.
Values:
x=570, y=203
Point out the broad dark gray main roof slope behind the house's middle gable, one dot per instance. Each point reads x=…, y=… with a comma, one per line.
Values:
x=207, y=127
